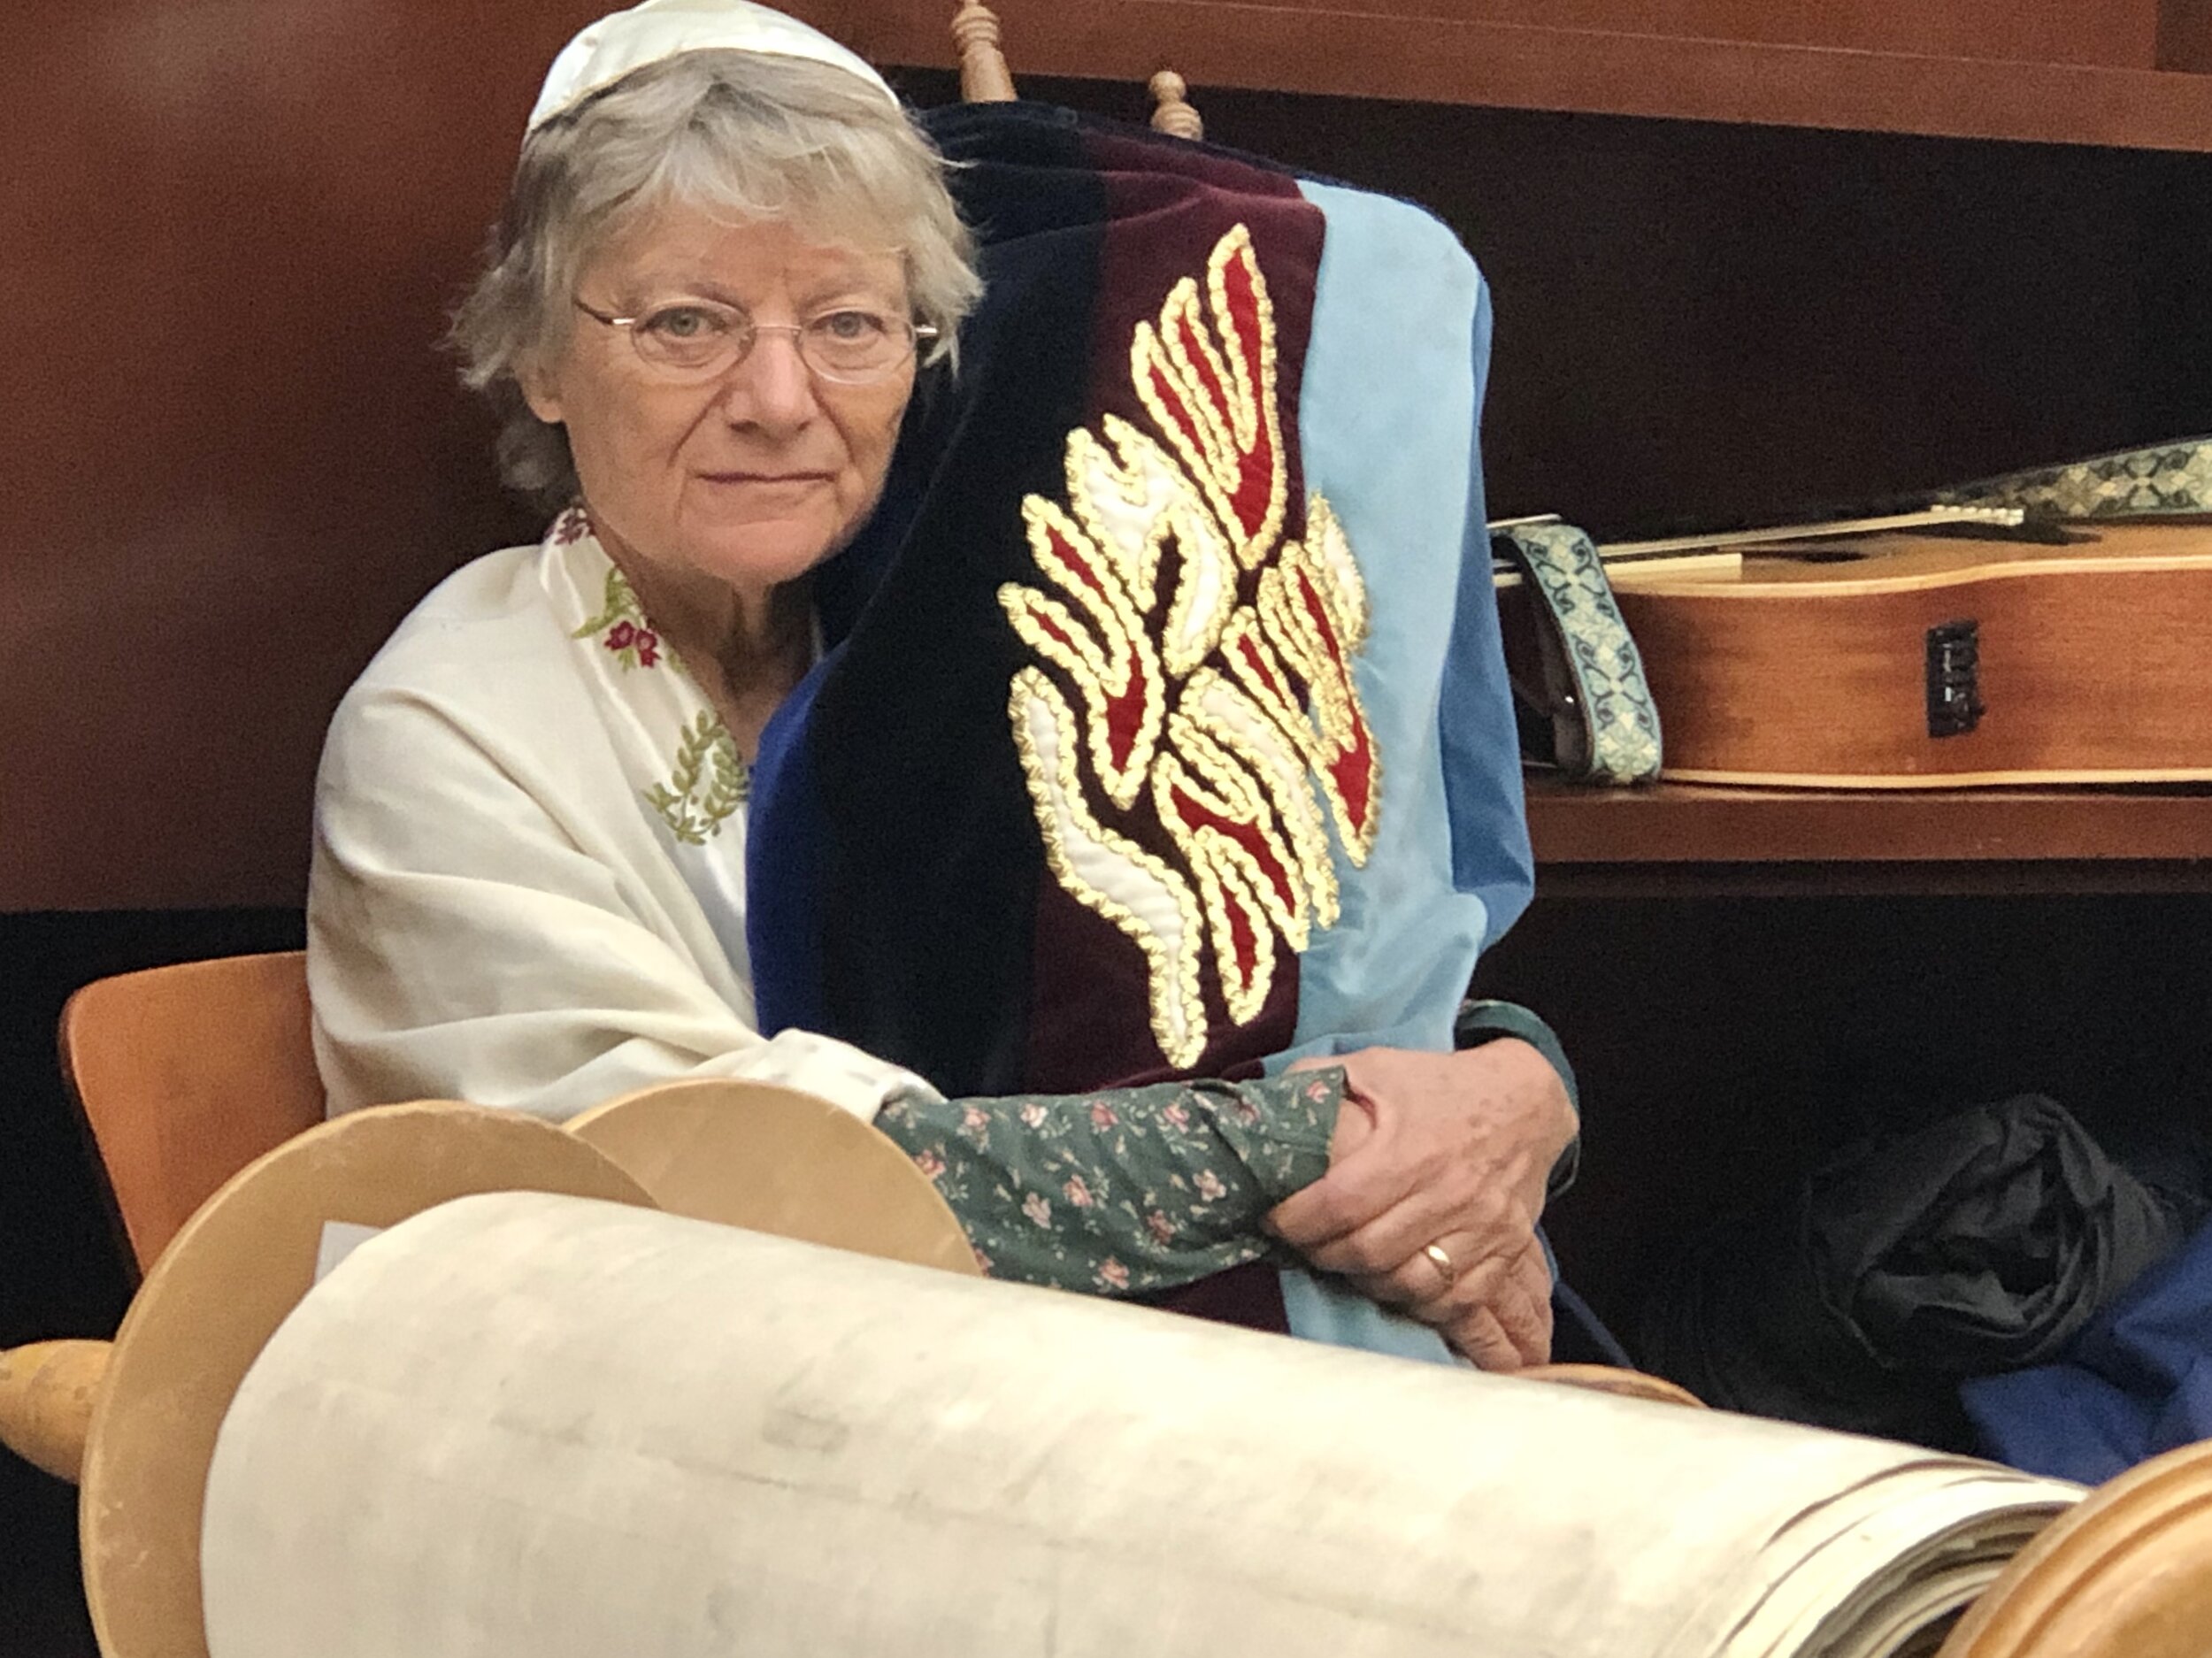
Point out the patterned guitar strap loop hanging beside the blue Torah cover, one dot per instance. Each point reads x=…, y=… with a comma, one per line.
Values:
x=1598, y=722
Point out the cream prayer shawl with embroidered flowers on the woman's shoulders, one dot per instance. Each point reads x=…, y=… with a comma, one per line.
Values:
x=530, y=861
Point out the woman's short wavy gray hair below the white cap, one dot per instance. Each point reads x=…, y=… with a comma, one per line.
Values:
x=731, y=132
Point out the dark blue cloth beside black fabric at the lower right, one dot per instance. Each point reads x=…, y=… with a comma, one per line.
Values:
x=2138, y=1381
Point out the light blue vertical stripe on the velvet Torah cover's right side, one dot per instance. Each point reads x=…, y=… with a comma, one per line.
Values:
x=1388, y=428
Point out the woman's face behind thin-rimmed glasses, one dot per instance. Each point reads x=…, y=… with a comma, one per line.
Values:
x=760, y=474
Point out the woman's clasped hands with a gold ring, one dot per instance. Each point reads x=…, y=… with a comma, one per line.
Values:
x=1450, y=1151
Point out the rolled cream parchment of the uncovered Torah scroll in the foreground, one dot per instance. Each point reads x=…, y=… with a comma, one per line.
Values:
x=539, y=1427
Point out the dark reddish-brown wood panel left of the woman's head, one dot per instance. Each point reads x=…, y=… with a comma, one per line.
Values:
x=231, y=452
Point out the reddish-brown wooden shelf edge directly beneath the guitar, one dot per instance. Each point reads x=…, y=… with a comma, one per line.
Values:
x=1680, y=837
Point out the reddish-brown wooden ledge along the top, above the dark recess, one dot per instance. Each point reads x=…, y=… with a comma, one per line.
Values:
x=1395, y=52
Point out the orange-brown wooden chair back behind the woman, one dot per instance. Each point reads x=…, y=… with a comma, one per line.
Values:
x=187, y=1075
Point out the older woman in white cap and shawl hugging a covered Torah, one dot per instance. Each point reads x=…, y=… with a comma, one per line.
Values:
x=727, y=262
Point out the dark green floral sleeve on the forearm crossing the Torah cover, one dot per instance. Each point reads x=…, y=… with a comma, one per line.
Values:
x=1129, y=1190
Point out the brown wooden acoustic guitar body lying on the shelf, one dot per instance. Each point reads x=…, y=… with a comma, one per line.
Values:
x=1926, y=662
